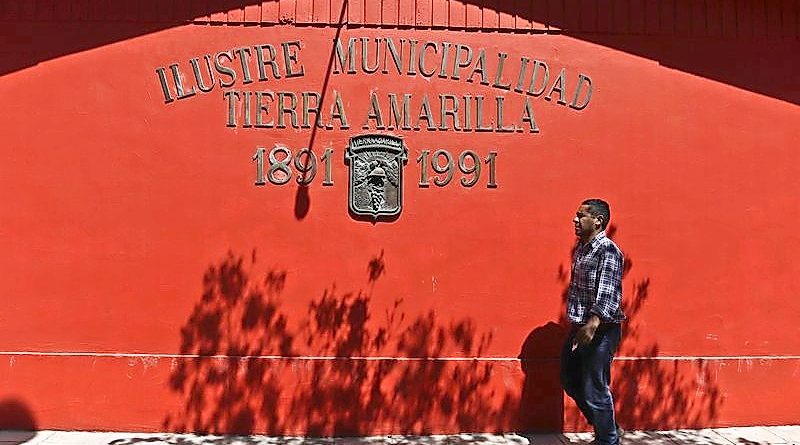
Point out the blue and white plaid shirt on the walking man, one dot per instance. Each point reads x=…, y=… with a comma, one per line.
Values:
x=596, y=283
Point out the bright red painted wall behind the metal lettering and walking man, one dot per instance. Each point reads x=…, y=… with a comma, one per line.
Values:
x=150, y=285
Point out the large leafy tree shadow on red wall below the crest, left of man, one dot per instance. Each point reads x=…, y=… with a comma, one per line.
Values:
x=373, y=370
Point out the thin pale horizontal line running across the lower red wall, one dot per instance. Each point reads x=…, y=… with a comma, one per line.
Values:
x=376, y=358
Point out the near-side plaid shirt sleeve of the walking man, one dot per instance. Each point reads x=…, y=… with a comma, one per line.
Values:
x=609, y=287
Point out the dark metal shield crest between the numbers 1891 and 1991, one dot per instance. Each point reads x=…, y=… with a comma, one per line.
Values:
x=376, y=174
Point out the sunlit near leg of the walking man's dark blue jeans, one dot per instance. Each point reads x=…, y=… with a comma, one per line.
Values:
x=596, y=377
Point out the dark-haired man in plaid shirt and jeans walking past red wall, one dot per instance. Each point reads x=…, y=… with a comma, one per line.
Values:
x=593, y=308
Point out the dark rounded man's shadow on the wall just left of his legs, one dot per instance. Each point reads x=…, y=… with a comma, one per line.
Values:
x=542, y=400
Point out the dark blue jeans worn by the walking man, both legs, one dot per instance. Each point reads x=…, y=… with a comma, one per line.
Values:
x=586, y=375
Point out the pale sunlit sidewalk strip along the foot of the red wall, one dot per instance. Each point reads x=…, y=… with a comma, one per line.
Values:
x=717, y=436
